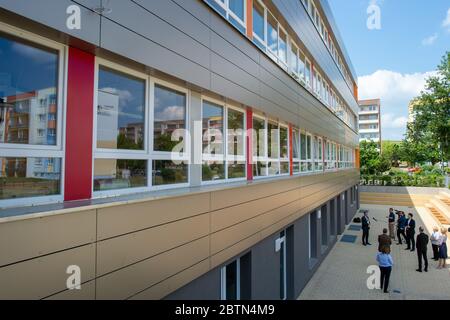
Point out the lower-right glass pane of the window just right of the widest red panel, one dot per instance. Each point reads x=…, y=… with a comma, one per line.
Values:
x=167, y=172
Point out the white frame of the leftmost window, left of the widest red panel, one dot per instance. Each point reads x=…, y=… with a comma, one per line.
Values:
x=10, y=150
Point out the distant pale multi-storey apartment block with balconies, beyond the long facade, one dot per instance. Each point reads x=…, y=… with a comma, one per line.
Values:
x=370, y=120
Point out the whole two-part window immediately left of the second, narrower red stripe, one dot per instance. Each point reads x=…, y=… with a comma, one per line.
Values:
x=223, y=150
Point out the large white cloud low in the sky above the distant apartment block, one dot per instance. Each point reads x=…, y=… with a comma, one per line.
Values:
x=395, y=90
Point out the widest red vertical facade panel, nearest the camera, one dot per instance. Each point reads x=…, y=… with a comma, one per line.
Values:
x=79, y=125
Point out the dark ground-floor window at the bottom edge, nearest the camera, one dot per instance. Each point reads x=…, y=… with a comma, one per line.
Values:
x=236, y=279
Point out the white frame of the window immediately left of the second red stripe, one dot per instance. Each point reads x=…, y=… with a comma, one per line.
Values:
x=225, y=157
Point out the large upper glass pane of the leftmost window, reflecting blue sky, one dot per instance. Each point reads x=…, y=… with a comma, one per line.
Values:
x=28, y=92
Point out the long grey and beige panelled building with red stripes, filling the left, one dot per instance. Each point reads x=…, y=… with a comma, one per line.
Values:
x=197, y=149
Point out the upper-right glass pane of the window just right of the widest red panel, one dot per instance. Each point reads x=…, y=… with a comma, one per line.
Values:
x=169, y=119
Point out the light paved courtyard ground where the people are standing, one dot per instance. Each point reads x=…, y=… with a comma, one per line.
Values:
x=343, y=274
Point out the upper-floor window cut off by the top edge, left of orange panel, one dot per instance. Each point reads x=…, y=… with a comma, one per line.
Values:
x=233, y=10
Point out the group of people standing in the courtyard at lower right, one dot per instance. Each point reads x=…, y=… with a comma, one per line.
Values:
x=406, y=229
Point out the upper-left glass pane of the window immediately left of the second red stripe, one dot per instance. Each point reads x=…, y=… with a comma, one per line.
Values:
x=212, y=128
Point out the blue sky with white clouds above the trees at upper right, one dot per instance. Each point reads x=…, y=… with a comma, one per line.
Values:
x=393, y=62
